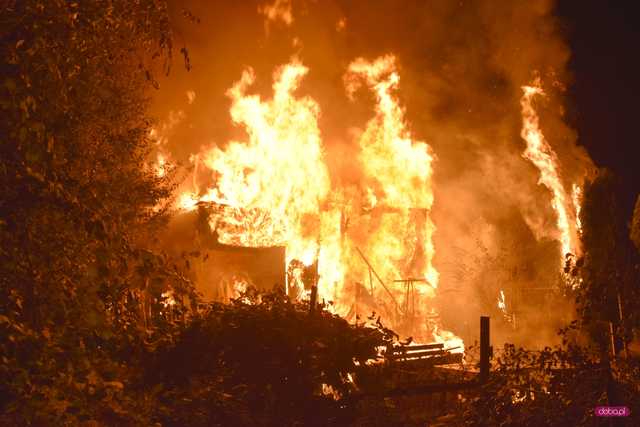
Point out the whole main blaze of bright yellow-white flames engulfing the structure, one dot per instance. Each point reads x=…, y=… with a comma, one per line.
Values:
x=275, y=189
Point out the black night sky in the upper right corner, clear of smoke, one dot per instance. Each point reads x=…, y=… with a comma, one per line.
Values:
x=605, y=94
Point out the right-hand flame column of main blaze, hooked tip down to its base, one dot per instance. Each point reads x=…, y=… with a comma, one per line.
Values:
x=398, y=173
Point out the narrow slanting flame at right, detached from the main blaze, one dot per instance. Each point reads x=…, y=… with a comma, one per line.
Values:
x=545, y=159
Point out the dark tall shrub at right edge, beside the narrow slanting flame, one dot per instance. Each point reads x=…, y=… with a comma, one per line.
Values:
x=609, y=269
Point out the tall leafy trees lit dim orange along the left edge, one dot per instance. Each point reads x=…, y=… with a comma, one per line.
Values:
x=80, y=285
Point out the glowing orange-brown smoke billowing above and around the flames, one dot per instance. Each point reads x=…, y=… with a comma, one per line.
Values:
x=462, y=65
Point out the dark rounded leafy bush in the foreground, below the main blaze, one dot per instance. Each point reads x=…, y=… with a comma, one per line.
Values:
x=262, y=360
